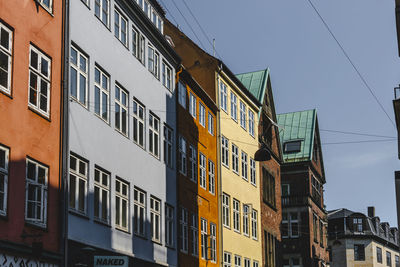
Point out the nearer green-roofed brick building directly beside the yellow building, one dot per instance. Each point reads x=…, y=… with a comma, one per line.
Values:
x=259, y=85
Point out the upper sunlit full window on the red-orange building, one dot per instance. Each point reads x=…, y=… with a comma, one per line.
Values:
x=39, y=81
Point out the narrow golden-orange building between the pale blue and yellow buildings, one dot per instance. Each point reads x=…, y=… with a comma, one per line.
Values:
x=197, y=174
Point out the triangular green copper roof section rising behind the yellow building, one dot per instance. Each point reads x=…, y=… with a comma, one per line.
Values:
x=255, y=82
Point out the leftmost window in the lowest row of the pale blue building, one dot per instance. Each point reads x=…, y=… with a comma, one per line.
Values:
x=78, y=177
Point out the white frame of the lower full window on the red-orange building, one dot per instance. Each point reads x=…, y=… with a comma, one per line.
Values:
x=42, y=187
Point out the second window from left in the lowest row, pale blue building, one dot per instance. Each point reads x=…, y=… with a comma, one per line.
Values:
x=101, y=195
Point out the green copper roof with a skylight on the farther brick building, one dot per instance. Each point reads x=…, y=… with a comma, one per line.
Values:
x=298, y=126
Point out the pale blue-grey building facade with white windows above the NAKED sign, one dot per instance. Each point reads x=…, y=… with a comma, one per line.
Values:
x=122, y=132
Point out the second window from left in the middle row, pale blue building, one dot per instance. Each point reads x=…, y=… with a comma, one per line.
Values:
x=101, y=93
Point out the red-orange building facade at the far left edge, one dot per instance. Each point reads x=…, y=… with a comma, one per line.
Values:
x=31, y=49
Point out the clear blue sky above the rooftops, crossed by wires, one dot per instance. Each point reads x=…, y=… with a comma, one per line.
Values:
x=308, y=70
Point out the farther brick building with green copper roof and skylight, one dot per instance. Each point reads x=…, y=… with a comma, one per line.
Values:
x=304, y=219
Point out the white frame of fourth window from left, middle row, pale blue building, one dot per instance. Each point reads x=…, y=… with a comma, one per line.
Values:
x=139, y=121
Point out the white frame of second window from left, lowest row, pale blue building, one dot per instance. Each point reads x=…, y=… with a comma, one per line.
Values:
x=105, y=218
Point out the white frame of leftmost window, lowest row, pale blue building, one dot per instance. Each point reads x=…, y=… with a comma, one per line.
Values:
x=80, y=173
